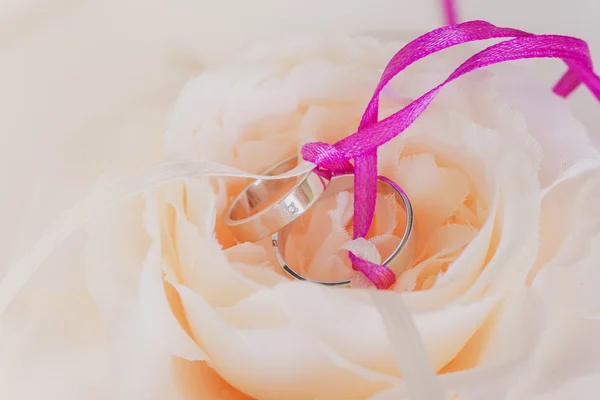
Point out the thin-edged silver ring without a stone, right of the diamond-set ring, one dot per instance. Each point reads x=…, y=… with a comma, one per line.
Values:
x=346, y=181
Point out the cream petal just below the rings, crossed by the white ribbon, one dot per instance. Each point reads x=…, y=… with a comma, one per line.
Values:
x=352, y=326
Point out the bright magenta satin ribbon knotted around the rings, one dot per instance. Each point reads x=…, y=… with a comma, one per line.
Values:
x=362, y=146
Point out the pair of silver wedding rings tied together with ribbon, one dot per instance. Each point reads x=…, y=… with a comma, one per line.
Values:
x=270, y=208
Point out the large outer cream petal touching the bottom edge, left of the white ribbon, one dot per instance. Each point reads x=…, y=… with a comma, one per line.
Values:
x=277, y=363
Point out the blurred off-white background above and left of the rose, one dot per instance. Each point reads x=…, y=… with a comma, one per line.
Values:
x=84, y=84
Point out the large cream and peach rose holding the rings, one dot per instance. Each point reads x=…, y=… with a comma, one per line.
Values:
x=503, y=182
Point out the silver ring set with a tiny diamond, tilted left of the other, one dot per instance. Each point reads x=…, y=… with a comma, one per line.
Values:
x=267, y=206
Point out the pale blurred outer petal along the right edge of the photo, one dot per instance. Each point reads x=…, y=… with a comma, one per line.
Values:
x=567, y=282
